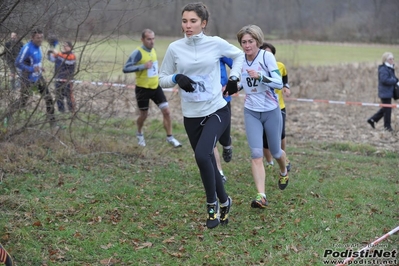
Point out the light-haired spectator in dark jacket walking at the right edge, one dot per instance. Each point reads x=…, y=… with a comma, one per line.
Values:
x=386, y=83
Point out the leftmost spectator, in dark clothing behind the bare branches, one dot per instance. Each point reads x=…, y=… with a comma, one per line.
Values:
x=12, y=48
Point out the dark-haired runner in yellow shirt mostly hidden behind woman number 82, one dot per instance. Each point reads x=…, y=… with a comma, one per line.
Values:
x=285, y=91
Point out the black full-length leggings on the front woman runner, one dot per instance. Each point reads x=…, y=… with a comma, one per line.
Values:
x=203, y=133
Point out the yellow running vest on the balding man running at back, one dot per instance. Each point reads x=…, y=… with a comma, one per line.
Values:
x=148, y=78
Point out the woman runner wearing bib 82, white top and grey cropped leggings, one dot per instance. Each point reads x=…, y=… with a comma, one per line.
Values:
x=260, y=77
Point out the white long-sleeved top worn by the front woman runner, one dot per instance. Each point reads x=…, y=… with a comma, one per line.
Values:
x=198, y=58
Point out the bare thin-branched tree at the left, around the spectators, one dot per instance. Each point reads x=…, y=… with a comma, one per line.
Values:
x=86, y=24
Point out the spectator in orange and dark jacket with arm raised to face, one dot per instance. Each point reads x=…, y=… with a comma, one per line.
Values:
x=65, y=64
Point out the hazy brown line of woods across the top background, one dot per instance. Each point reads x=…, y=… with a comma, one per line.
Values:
x=338, y=20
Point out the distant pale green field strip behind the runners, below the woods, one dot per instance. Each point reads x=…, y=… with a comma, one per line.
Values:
x=103, y=61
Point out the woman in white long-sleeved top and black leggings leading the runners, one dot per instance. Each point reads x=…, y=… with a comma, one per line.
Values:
x=193, y=63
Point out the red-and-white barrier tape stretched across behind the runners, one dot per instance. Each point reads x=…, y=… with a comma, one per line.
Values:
x=286, y=99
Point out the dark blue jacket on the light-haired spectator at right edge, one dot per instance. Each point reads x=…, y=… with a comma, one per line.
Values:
x=386, y=81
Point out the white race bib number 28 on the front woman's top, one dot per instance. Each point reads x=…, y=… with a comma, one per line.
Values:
x=202, y=90
